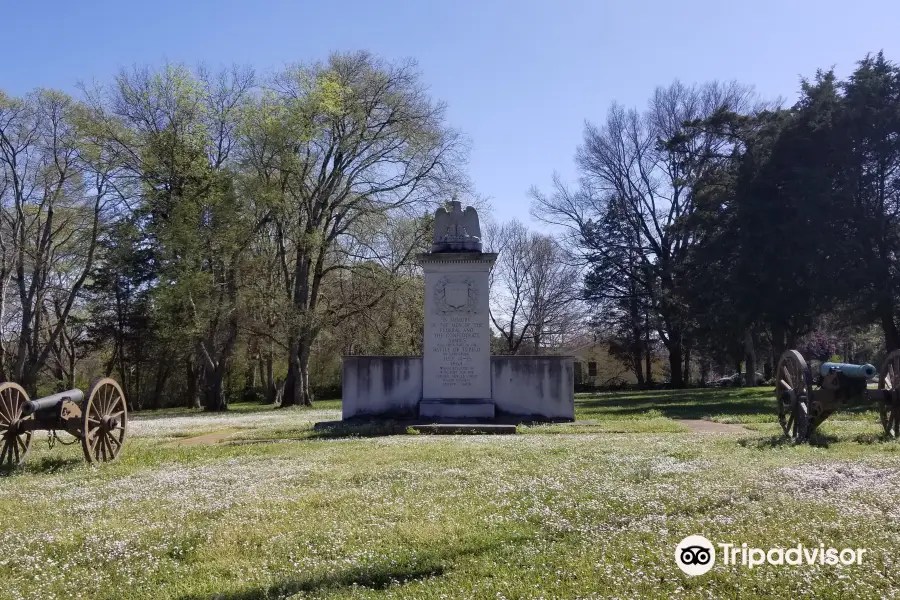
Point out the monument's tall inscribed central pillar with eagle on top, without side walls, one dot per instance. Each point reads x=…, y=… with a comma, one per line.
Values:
x=457, y=345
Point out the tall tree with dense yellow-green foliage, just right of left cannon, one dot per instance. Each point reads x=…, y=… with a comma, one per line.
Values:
x=176, y=131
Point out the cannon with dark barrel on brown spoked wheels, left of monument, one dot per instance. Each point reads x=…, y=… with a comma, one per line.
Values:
x=99, y=420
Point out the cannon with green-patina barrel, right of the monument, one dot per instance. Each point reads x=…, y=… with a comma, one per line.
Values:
x=801, y=408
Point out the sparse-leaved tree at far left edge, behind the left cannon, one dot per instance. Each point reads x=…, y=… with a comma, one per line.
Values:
x=56, y=190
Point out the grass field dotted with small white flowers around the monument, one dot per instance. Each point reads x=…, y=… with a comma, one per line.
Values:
x=586, y=510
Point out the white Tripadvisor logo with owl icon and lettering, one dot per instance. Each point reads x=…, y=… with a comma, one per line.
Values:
x=695, y=555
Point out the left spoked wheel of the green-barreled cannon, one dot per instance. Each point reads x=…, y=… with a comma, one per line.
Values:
x=793, y=394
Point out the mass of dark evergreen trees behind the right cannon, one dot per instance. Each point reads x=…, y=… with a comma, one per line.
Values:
x=796, y=232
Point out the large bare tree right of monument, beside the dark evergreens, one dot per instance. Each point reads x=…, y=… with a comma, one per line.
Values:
x=631, y=216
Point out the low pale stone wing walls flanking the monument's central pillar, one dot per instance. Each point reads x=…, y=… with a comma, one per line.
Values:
x=522, y=387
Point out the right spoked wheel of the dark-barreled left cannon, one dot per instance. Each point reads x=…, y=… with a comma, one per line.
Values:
x=105, y=422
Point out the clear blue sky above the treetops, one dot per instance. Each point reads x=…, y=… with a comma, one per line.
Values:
x=520, y=77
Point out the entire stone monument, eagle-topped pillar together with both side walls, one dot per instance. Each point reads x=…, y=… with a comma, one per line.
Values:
x=457, y=380
